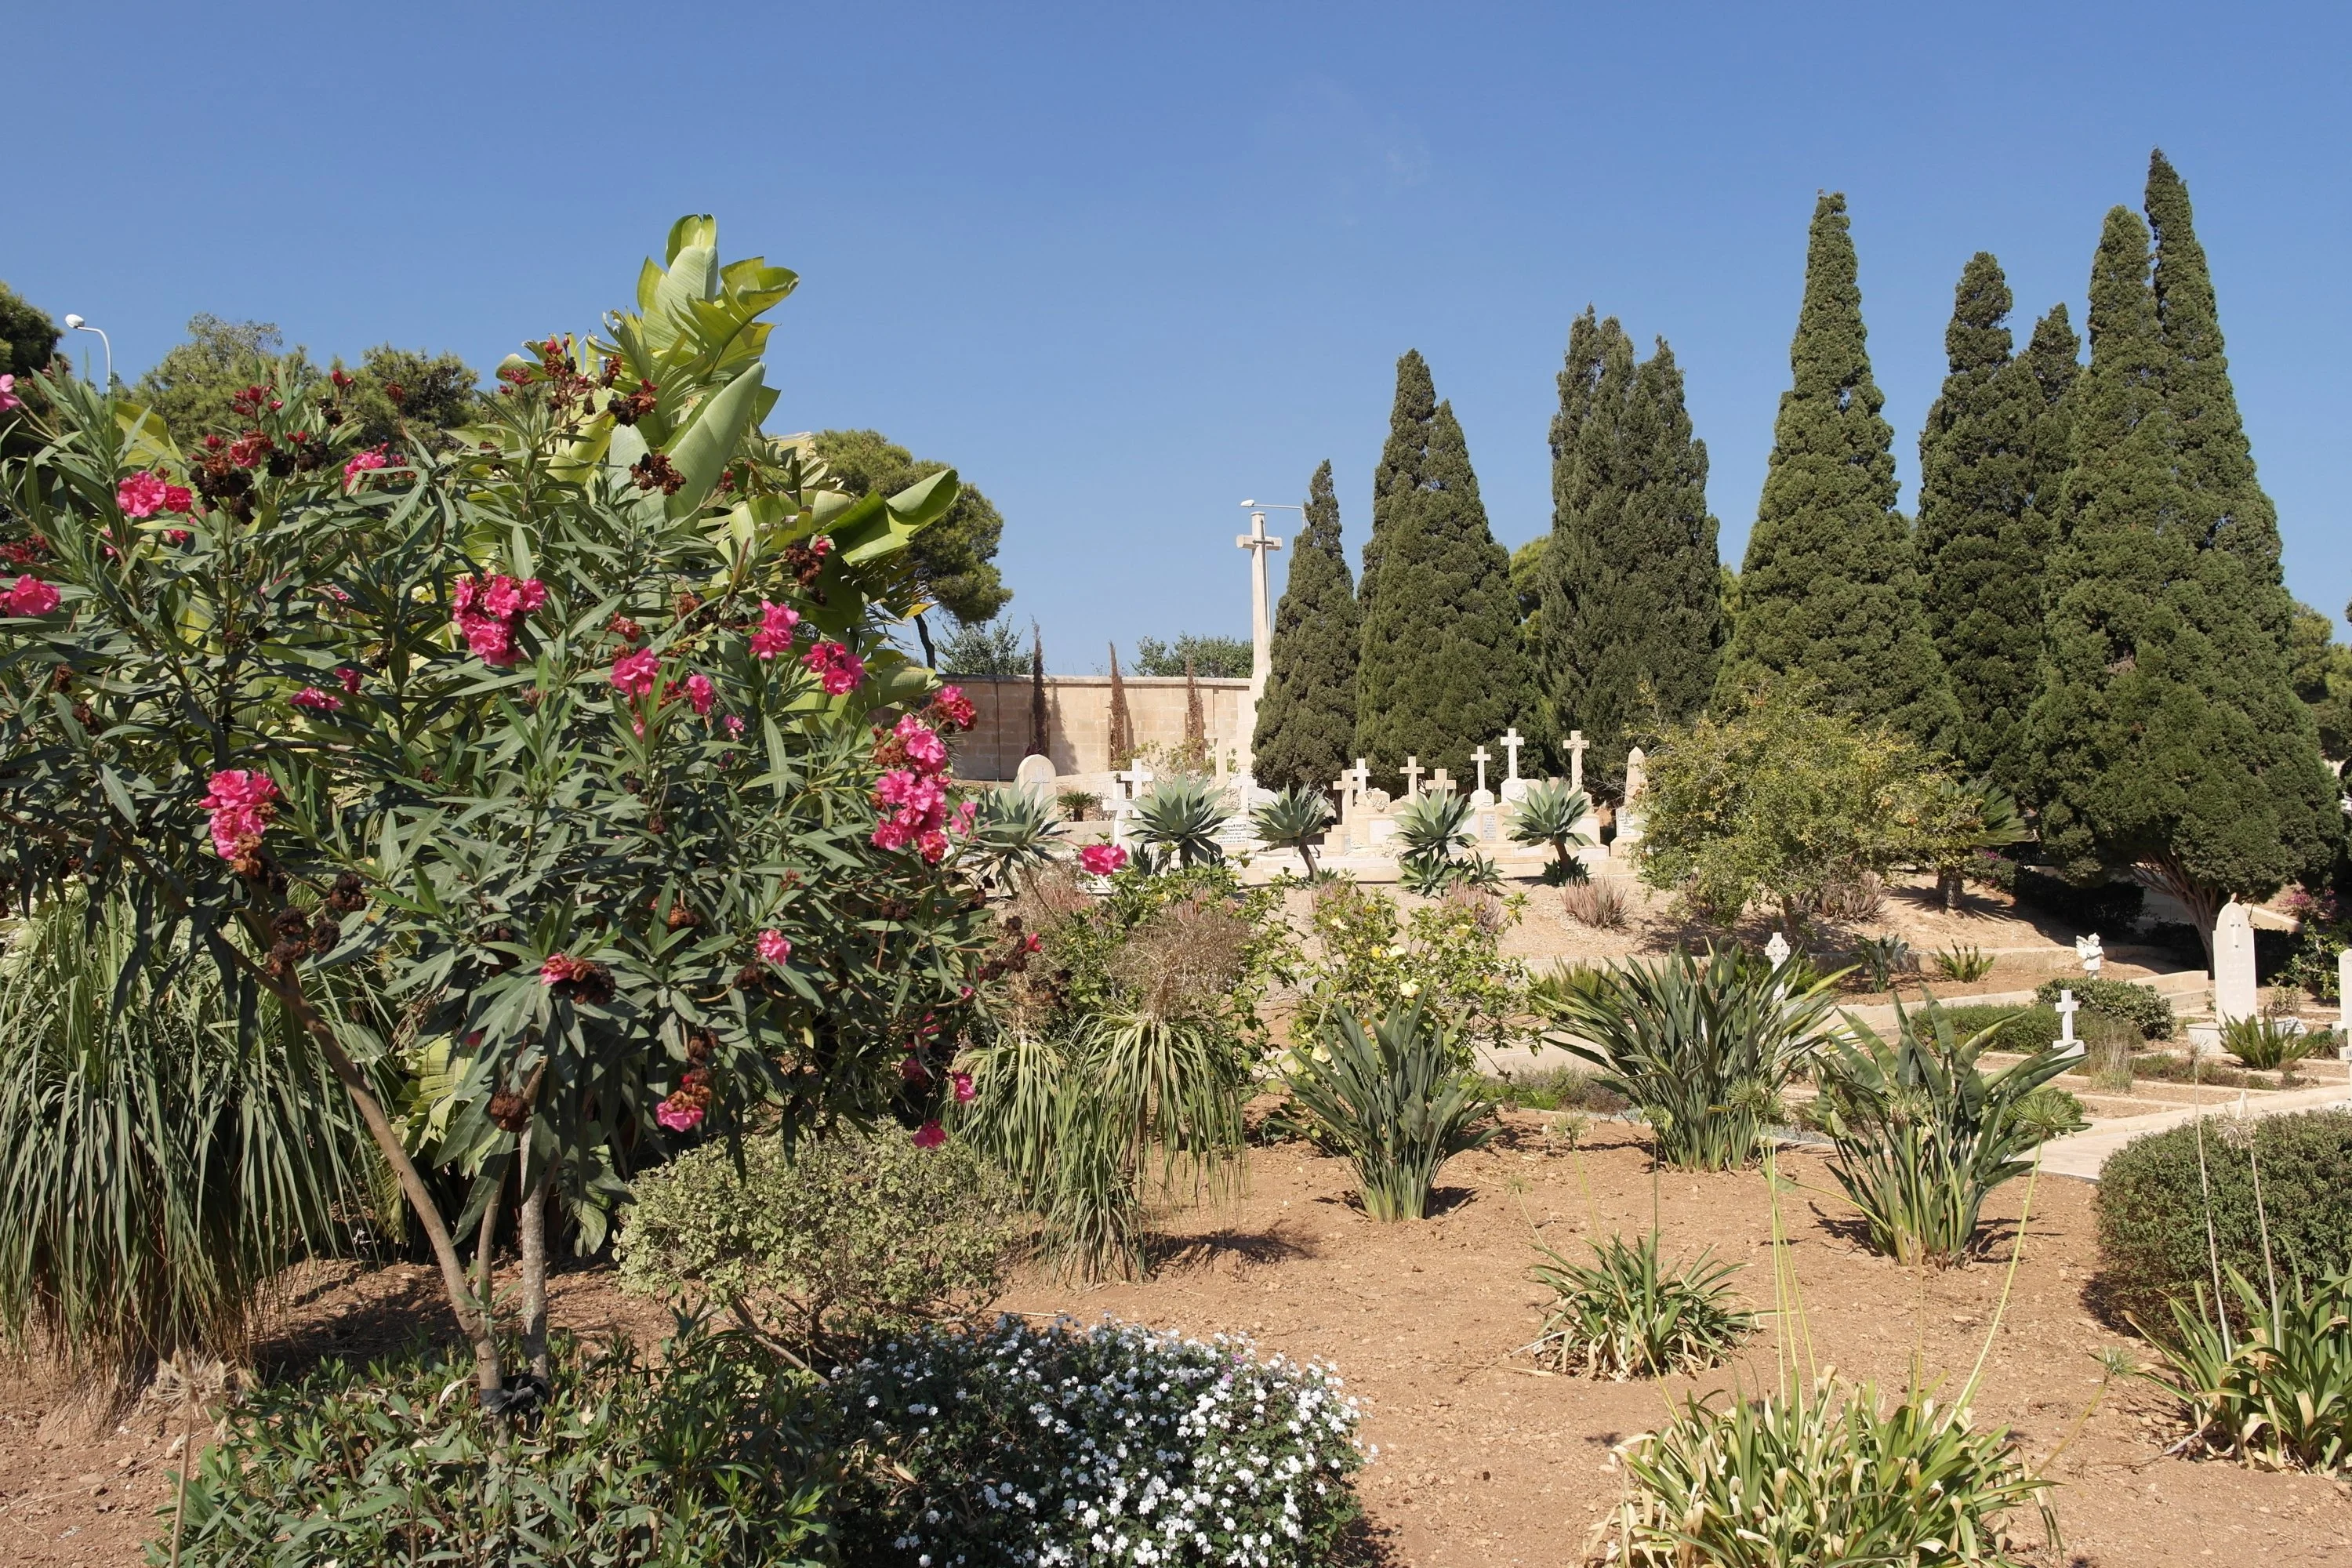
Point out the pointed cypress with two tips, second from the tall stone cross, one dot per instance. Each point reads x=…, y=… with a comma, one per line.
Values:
x=1441, y=662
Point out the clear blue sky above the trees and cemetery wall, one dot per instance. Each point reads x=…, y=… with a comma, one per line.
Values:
x=1132, y=264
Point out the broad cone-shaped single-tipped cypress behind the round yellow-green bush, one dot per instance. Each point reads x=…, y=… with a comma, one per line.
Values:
x=1831, y=591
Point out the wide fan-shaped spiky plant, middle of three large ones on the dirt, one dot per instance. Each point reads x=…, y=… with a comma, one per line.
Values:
x=1704, y=1047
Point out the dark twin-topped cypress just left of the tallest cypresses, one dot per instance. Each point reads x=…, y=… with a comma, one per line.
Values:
x=1991, y=448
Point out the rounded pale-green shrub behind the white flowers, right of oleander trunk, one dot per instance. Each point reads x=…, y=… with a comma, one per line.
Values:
x=831, y=1242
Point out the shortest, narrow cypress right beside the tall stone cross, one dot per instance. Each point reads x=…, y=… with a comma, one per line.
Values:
x=1307, y=718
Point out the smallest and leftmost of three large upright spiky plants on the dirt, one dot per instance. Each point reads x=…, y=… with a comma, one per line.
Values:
x=1396, y=1101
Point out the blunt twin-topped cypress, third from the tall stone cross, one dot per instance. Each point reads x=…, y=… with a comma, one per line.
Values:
x=1631, y=619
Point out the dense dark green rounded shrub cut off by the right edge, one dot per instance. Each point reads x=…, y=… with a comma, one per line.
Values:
x=2153, y=1207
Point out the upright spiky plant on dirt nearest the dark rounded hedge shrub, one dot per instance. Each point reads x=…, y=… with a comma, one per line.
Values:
x=1925, y=1137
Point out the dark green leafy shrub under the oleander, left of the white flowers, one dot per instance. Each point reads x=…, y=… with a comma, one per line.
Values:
x=702, y=1459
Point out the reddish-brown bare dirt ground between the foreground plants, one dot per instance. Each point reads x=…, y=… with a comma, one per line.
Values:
x=1481, y=1459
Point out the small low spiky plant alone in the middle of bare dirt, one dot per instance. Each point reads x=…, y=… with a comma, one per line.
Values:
x=1629, y=1315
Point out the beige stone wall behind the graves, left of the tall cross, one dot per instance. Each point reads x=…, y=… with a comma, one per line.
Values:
x=1078, y=721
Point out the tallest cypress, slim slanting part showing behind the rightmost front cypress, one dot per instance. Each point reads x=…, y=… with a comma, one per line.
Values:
x=2217, y=460
